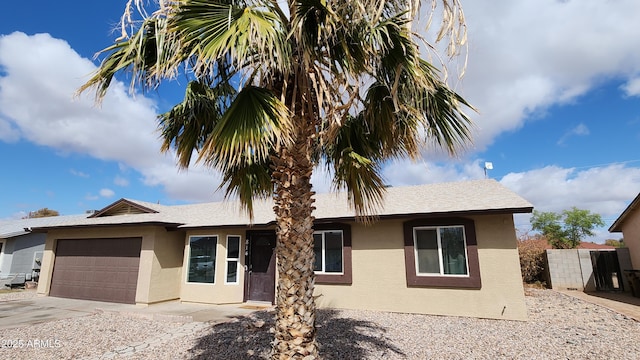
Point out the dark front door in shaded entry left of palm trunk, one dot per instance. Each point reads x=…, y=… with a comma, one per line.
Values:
x=261, y=272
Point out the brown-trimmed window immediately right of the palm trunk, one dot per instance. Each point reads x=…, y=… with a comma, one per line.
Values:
x=332, y=248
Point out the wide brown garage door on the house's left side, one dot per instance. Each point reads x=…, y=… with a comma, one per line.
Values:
x=97, y=269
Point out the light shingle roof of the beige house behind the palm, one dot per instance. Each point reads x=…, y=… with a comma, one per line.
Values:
x=477, y=196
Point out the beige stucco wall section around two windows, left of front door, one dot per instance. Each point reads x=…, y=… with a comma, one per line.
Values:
x=219, y=292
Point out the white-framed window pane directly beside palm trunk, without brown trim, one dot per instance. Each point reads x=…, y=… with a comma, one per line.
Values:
x=328, y=245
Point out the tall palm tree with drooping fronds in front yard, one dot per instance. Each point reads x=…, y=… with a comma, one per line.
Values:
x=276, y=91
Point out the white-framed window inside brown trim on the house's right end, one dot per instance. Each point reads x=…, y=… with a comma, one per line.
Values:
x=440, y=251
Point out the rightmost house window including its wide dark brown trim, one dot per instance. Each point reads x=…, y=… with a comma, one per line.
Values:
x=441, y=253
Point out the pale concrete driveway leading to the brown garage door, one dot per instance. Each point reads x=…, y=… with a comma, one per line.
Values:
x=18, y=313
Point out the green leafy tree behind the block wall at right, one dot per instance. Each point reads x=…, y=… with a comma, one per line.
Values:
x=566, y=230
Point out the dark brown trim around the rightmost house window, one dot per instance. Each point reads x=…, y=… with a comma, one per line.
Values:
x=470, y=281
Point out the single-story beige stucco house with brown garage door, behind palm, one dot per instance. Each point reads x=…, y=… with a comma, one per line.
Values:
x=446, y=249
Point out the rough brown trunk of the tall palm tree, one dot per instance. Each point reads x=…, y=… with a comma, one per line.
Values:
x=295, y=332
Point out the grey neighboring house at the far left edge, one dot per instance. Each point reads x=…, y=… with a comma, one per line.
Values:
x=20, y=249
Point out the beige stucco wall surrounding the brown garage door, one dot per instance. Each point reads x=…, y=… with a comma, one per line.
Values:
x=160, y=259
